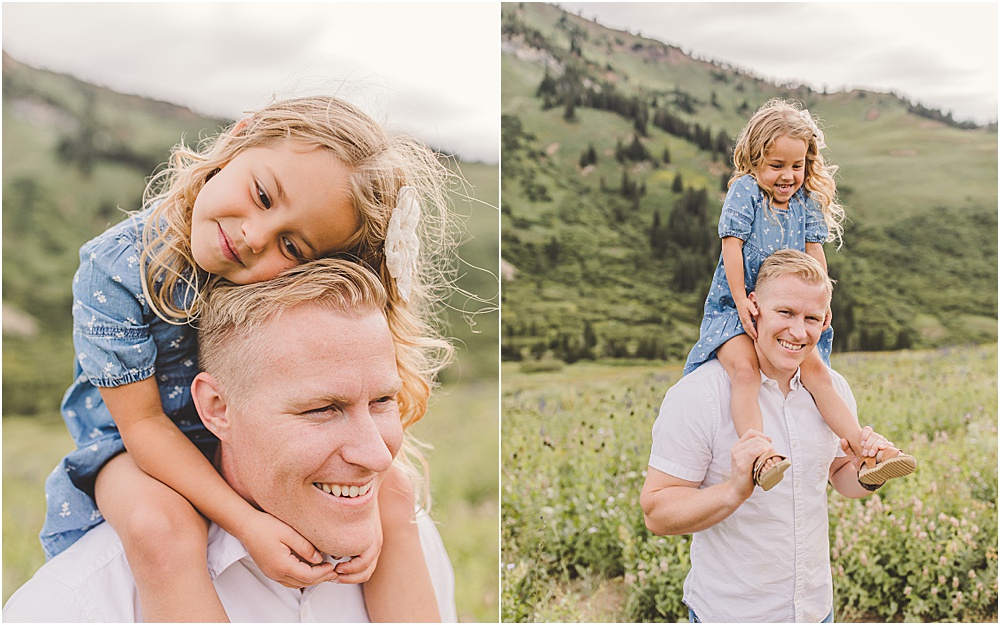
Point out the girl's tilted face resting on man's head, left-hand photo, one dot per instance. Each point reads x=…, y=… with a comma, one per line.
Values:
x=271, y=208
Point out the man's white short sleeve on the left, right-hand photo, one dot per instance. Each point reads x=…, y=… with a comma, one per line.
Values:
x=684, y=430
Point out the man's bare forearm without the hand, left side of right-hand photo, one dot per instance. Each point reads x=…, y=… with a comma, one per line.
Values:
x=682, y=510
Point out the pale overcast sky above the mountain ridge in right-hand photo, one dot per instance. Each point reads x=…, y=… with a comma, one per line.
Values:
x=943, y=55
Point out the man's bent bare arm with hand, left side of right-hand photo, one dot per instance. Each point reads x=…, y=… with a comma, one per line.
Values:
x=674, y=506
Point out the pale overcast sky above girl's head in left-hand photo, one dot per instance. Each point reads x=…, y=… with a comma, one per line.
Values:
x=430, y=69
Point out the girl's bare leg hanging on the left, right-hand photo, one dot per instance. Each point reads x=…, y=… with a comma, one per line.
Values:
x=739, y=358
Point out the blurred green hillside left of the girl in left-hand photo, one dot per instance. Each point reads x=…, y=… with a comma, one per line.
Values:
x=75, y=156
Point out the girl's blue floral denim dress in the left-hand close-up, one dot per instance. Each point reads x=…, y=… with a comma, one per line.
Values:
x=118, y=340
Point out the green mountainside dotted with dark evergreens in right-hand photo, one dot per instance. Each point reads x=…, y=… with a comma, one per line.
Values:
x=605, y=134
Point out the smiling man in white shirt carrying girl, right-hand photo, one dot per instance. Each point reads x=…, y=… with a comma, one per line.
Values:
x=756, y=556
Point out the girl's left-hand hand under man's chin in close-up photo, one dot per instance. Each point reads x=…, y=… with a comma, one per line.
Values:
x=283, y=554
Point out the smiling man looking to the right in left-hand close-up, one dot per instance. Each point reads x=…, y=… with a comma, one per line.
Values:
x=299, y=384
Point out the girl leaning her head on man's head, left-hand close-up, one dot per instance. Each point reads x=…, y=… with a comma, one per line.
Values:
x=298, y=180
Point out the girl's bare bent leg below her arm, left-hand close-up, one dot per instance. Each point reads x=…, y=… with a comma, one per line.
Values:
x=165, y=540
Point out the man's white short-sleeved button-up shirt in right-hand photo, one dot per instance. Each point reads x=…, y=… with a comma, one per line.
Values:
x=770, y=560
